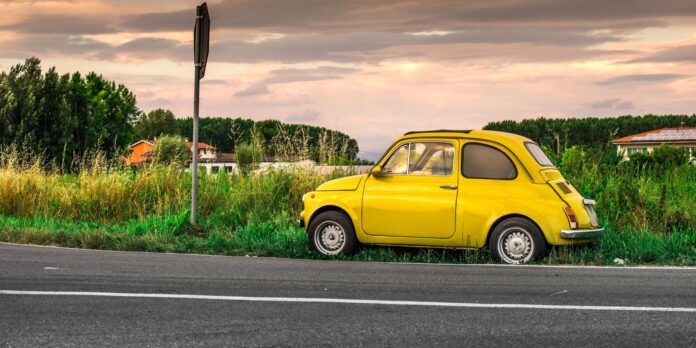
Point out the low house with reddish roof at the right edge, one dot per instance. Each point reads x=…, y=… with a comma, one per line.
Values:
x=648, y=141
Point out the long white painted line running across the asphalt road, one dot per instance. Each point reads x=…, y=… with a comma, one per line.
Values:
x=349, y=301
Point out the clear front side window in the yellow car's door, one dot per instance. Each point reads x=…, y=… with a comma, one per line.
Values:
x=421, y=158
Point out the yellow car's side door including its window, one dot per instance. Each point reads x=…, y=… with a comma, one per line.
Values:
x=416, y=195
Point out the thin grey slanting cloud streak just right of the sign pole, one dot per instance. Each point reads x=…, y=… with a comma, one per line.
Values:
x=281, y=76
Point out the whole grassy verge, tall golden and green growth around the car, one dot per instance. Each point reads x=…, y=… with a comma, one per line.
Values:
x=650, y=214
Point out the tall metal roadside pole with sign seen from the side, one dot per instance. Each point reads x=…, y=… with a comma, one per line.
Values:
x=201, y=40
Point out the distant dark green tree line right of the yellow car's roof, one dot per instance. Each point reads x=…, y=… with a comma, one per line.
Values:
x=591, y=131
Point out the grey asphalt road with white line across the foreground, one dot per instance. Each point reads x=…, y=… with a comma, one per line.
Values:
x=67, y=297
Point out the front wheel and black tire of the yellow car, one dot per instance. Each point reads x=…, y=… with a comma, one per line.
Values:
x=332, y=233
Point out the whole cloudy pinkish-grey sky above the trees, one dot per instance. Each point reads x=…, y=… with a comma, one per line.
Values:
x=375, y=69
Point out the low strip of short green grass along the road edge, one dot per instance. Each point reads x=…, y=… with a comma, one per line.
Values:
x=173, y=234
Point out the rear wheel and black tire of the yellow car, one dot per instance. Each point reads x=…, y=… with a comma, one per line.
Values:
x=517, y=240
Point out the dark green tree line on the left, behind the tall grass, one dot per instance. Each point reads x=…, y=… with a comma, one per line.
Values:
x=64, y=117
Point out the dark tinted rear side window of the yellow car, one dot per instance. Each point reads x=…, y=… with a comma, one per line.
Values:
x=481, y=161
